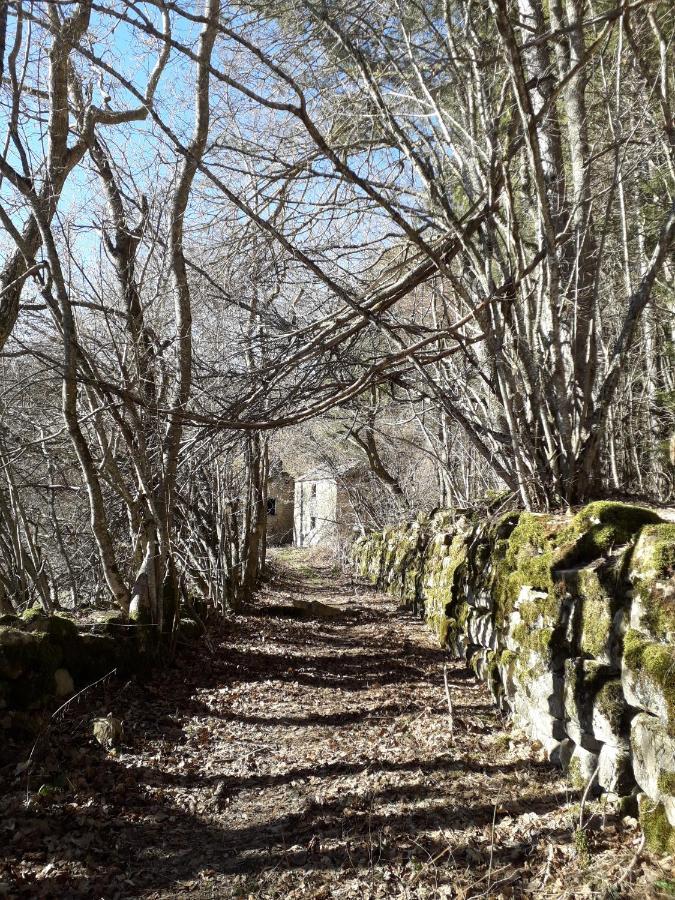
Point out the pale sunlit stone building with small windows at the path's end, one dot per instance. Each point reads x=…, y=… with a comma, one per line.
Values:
x=323, y=513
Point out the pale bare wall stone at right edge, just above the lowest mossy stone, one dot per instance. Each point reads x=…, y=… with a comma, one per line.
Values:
x=654, y=761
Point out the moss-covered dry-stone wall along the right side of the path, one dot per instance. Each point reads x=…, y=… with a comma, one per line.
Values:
x=570, y=620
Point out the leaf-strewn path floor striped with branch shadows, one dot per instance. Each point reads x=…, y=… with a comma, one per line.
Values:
x=306, y=758
